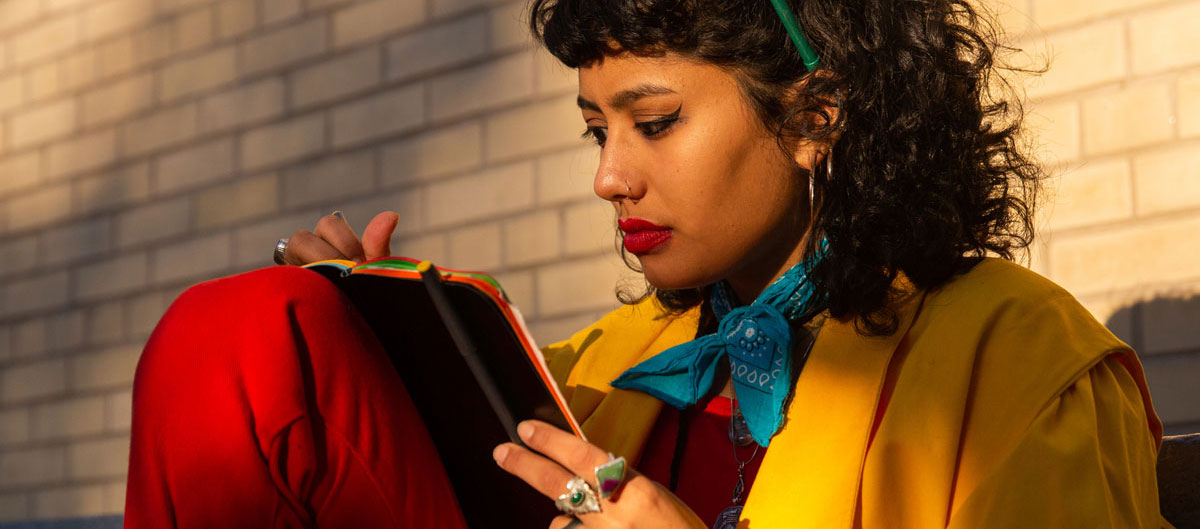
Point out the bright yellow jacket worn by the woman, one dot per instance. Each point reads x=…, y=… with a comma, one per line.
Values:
x=1000, y=404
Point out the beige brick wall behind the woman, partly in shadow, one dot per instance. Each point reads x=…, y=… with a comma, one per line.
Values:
x=149, y=145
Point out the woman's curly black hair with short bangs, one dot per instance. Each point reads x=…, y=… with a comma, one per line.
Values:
x=928, y=173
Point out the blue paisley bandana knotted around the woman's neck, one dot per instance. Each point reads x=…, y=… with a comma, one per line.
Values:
x=758, y=341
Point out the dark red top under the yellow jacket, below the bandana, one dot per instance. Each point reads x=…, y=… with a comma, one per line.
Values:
x=709, y=472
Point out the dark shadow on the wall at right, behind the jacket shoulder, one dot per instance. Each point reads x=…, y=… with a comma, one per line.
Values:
x=1166, y=333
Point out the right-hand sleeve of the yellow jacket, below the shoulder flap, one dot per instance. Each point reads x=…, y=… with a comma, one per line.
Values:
x=1088, y=460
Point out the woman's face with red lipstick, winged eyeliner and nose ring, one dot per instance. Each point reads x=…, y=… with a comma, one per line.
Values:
x=683, y=151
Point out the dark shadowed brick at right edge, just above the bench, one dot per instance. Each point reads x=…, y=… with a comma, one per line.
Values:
x=1173, y=383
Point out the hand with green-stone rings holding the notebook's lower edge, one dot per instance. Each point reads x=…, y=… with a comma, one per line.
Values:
x=640, y=503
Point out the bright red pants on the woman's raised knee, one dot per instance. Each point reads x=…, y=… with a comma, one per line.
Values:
x=265, y=401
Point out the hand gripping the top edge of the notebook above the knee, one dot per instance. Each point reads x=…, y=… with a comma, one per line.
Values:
x=334, y=239
